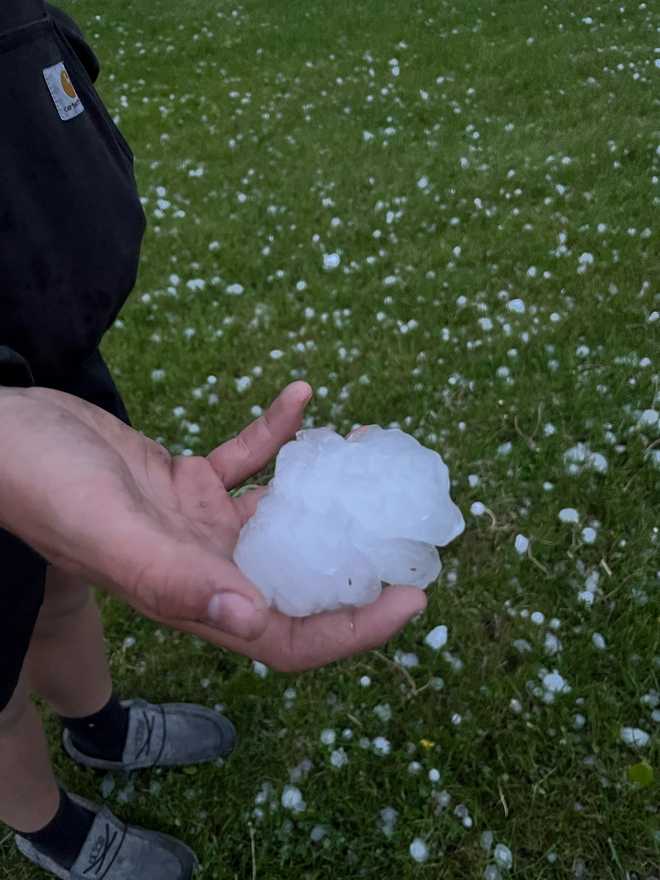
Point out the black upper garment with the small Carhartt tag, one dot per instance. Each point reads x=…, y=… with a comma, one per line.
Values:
x=71, y=222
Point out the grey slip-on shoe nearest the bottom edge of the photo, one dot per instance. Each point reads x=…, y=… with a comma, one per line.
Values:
x=115, y=851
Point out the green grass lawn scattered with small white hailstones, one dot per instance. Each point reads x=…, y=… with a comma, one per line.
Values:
x=271, y=99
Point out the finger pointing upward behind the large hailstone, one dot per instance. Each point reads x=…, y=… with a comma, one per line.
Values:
x=245, y=454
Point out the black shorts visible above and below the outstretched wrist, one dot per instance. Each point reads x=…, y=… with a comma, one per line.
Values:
x=22, y=570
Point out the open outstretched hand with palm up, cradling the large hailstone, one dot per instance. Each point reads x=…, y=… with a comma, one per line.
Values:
x=99, y=500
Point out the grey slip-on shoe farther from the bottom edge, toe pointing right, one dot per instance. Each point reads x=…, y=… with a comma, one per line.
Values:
x=167, y=735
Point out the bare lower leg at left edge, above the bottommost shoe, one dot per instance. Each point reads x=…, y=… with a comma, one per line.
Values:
x=29, y=796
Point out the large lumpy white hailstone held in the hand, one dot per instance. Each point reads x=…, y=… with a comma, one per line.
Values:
x=342, y=516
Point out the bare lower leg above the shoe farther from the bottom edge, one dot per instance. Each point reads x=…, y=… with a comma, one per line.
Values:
x=66, y=663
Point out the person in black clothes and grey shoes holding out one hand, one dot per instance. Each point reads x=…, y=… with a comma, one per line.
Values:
x=86, y=499
